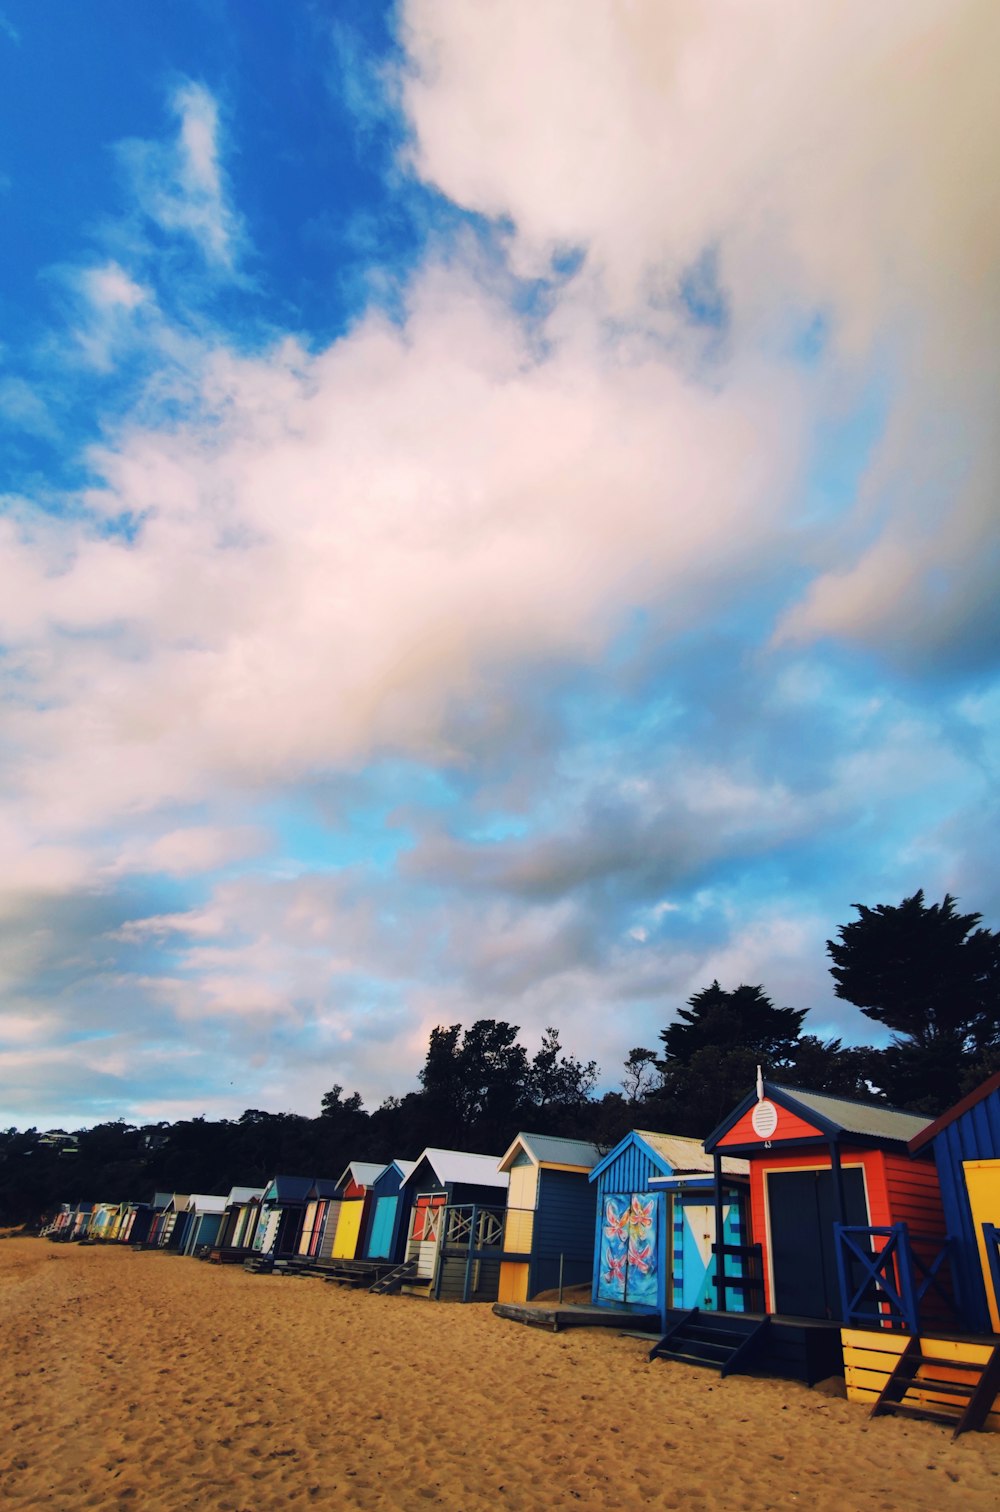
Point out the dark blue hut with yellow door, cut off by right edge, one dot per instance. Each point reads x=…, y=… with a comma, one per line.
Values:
x=966, y=1147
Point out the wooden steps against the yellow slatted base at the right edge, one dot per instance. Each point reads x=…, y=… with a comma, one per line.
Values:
x=940, y=1390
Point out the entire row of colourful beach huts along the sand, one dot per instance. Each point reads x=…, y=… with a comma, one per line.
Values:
x=809, y=1236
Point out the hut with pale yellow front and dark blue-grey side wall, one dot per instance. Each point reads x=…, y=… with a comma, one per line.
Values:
x=551, y=1204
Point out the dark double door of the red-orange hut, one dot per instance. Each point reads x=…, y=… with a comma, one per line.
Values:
x=803, y=1209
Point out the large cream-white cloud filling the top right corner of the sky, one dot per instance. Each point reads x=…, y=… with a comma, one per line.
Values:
x=839, y=158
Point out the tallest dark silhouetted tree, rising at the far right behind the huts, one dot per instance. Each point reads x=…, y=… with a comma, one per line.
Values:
x=933, y=978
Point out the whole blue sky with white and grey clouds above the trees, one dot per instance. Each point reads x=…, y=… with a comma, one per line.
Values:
x=498, y=521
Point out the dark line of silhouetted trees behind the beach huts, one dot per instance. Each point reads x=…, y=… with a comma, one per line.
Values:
x=925, y=973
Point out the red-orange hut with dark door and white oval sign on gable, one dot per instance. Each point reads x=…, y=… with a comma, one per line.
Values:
x=818, y=1162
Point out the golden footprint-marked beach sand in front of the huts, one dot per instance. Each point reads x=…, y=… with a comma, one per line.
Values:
x=149, y=1381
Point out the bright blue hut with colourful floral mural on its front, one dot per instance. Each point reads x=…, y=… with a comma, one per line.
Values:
x=656, y=1225
